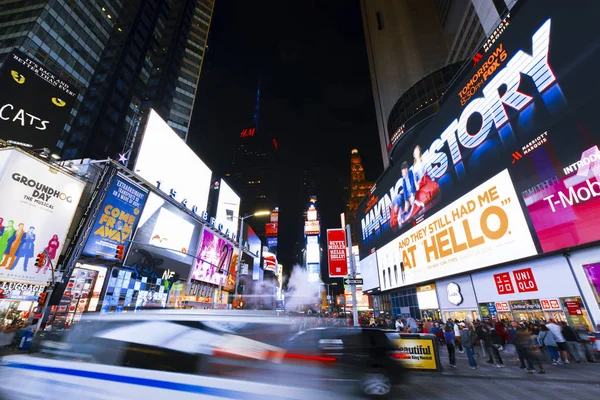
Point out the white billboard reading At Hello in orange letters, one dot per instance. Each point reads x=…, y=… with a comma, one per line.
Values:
x=482, y=228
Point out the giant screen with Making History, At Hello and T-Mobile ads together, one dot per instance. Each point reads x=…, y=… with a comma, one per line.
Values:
x=522, y=121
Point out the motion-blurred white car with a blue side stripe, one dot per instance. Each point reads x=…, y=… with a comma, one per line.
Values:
x=158, y=355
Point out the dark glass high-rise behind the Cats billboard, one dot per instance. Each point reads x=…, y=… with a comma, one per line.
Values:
x=124, y=57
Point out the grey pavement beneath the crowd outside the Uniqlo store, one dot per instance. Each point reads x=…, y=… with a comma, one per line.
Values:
x=573, y=373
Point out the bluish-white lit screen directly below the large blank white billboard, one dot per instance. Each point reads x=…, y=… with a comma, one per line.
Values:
x=166, y=237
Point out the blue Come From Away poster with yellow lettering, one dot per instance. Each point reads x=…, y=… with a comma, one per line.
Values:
x=117, y=219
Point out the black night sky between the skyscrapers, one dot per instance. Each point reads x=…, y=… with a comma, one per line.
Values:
x=310, y=57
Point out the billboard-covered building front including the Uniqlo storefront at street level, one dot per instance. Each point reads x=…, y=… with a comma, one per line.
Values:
x=488, y=211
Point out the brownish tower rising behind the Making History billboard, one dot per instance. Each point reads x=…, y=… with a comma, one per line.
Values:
x=409, y=40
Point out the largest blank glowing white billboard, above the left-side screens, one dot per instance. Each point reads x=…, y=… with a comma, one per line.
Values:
x=167, y=162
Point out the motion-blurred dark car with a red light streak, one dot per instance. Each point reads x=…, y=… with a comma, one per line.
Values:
x=362, y=357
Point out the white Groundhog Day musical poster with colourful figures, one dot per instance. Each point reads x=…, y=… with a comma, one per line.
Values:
x=35, y=214
